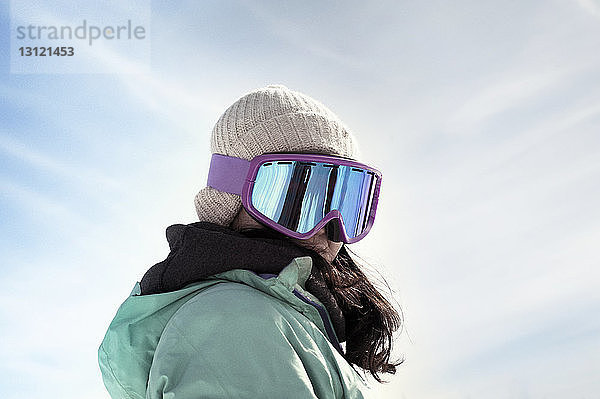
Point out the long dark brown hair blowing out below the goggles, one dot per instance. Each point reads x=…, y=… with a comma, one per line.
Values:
x=370, y=319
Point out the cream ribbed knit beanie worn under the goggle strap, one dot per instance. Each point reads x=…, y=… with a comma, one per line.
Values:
x=270, y=119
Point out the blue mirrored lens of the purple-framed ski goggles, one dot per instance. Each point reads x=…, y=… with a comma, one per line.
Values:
x=298, y=195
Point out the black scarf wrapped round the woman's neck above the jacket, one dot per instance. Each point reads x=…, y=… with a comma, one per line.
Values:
x=202, y=249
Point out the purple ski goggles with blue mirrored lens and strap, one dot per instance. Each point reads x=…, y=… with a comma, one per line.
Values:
x=299, y=194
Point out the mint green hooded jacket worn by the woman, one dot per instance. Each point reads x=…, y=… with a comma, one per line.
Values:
x=233, y=335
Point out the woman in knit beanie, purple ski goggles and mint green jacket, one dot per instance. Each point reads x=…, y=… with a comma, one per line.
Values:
x=255, y=299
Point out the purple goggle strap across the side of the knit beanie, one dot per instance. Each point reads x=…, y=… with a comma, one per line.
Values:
x=227, y=173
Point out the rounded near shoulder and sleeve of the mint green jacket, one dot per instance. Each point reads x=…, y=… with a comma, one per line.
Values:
x=231, y=339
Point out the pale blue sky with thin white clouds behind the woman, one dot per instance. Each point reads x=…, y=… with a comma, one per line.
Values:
x=484, y=117
